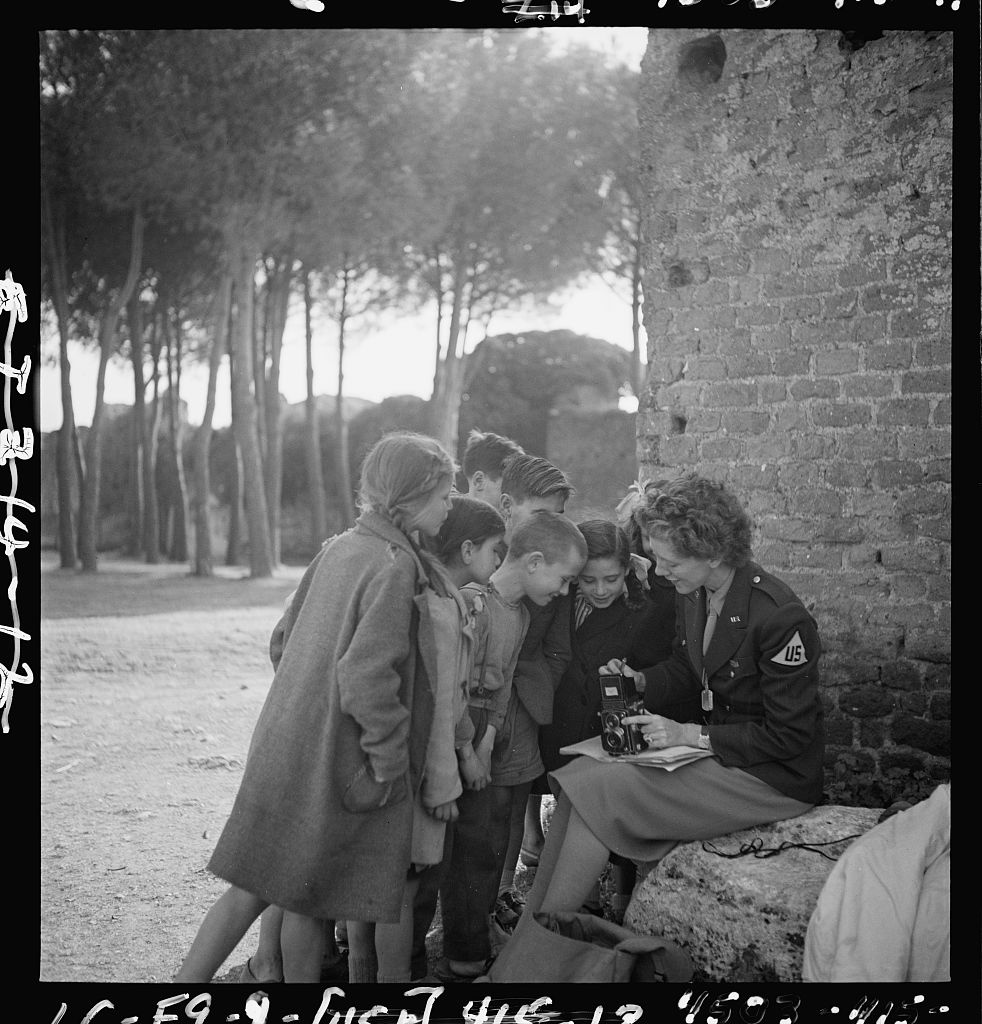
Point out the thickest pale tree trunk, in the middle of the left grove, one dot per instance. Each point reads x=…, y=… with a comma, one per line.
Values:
x=244, y=420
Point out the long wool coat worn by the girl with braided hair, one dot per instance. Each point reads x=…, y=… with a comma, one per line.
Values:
x=352, y=688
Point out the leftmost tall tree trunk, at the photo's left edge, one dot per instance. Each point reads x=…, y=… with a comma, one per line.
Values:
x=68, y=472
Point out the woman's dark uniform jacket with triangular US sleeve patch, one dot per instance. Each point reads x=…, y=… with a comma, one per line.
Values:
x=762, y=666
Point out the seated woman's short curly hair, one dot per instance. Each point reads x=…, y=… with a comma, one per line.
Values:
x=700, y=519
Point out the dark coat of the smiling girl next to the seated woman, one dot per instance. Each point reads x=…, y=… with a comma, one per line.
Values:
x=643, y=637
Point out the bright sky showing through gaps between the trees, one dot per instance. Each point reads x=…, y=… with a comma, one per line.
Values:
x=392, y=357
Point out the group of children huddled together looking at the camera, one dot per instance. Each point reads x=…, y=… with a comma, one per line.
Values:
x=429, y=669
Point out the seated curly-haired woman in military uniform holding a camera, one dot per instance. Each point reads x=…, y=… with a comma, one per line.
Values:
x=748, y=651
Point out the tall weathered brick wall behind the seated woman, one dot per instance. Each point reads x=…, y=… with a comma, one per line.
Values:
x=798, y=219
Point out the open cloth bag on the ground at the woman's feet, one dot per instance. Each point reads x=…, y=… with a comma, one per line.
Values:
x=582, y=948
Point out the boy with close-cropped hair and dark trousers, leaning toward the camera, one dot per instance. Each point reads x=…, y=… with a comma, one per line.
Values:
x=546, y=552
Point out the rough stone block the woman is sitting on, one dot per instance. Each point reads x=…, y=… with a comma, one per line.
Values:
x=745, y=919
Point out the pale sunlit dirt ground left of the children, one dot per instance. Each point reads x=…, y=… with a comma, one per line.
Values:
x=151, y=685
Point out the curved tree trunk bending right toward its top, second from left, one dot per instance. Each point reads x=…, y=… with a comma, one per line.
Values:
x=90, y=515
